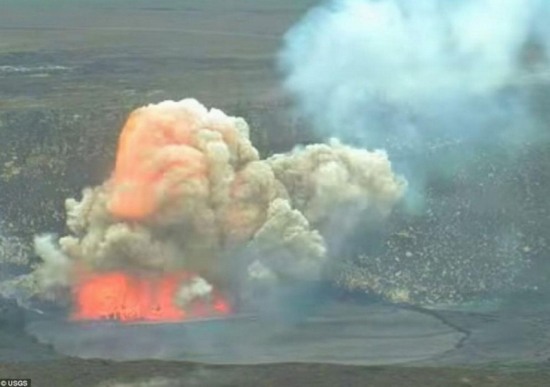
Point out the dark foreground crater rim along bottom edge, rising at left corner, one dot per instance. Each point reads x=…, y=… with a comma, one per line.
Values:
x=23, y=357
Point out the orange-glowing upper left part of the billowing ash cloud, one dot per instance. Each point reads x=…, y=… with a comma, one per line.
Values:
x=155, y=141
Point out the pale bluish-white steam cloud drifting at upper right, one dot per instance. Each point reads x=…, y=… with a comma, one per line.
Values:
x=381, y=69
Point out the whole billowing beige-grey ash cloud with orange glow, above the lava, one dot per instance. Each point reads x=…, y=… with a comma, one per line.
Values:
x=190, y=193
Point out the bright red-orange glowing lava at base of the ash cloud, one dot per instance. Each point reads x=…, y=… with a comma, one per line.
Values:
x=123, y=297
